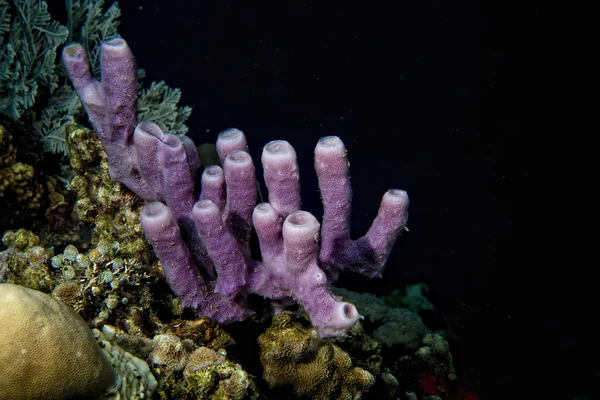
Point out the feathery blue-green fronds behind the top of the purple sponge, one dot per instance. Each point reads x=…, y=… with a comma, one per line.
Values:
x=32, y=80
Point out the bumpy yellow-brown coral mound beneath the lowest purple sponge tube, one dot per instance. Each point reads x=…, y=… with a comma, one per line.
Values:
x=314, y=368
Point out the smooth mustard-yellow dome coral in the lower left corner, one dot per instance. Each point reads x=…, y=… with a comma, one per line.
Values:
x=47, y=351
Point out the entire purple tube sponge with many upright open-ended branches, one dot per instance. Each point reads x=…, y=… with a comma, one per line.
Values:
x=203, y=243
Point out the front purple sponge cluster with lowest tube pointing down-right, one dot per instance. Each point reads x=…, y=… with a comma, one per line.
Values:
x=290, y=269
